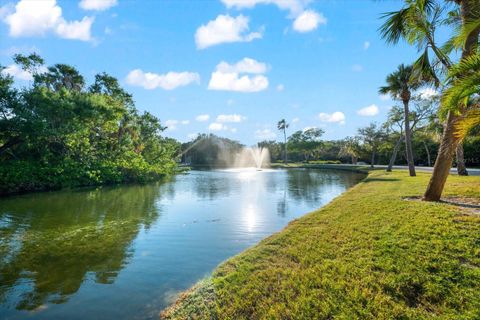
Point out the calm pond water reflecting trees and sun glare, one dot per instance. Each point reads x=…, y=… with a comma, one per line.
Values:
x=125, y=252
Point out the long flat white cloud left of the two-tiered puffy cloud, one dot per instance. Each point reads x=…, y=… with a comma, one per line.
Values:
x=168, y=81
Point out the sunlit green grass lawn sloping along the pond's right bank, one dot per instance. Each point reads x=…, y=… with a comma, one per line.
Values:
x=369, y=254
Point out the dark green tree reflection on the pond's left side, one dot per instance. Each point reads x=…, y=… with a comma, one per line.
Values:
x=53, y=242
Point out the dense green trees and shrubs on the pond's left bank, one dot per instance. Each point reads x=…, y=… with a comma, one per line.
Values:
x=58, y=132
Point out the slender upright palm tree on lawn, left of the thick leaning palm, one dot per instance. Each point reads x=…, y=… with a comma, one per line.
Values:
x=400, y=85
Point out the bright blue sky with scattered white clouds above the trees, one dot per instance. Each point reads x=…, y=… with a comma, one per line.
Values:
x=244, y=63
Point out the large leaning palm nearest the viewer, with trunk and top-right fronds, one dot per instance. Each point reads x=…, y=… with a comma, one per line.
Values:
x=417, y=23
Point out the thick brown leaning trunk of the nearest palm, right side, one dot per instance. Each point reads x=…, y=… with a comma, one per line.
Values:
x=449, y=142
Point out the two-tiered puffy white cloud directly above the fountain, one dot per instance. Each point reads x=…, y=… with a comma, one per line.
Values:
x=228, y=77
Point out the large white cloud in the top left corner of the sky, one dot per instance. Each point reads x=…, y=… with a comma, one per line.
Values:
x=36, y=18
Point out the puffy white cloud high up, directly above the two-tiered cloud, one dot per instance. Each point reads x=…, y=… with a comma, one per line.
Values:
x=224, y=29
